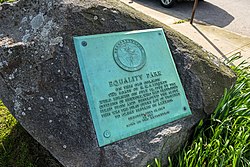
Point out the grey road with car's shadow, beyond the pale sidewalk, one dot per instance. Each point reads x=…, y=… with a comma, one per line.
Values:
x=233, y=15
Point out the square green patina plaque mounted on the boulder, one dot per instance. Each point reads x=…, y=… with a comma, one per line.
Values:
x=131, y=82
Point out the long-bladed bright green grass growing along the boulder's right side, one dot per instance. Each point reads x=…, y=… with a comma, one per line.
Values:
x=222, y=140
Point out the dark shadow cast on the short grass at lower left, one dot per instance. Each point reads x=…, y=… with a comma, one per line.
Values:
x=19, y=149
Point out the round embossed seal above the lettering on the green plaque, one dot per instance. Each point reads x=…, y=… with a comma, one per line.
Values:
x=129, y=55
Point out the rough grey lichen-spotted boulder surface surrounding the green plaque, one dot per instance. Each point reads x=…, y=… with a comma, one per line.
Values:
x=40, y=80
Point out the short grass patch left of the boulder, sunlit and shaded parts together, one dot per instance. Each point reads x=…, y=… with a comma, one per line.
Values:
x=18, y=148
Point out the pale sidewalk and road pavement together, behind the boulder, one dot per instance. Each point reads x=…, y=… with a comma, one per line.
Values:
x=220, y=27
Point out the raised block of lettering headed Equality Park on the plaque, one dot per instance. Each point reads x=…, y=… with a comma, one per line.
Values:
x=139, y=98
